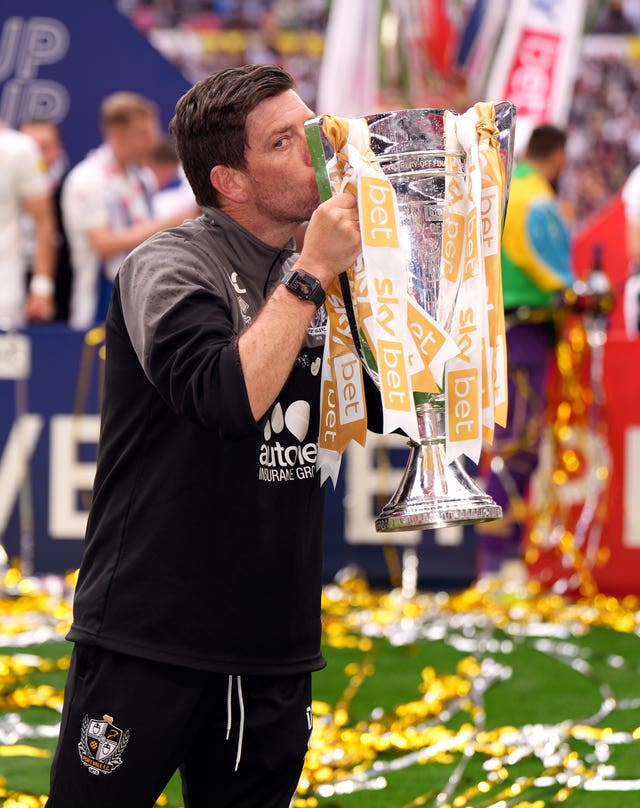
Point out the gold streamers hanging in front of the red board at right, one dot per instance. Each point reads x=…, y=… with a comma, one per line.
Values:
x=570, y=490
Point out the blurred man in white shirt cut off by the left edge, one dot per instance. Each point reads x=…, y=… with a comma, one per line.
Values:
x=23, y=189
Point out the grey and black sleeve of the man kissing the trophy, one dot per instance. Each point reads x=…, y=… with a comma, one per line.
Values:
x=181, y=327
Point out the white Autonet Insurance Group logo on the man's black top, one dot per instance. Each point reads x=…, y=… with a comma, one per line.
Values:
x=280, y=459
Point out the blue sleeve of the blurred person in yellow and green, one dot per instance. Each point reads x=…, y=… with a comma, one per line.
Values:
x=548, y=239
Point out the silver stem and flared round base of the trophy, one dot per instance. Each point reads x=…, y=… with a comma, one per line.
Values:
x=433, y=493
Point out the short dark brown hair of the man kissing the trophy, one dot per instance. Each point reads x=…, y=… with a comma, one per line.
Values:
x=209, y=126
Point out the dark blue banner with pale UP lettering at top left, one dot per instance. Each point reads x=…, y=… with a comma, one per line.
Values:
x=59, y=60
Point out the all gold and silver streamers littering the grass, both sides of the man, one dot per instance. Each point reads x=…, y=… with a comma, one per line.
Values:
x=444, y=724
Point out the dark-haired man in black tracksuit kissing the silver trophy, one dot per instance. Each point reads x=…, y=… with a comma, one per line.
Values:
x=197, y=610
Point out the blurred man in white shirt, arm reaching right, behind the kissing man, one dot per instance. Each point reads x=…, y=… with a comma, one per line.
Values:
x=106, y=203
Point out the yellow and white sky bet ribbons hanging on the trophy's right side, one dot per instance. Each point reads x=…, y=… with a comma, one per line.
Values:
x=475, y=379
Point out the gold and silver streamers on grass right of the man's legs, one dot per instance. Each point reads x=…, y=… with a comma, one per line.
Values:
x=345, y=758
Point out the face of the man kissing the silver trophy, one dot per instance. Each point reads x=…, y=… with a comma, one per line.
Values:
x=281, y=178
